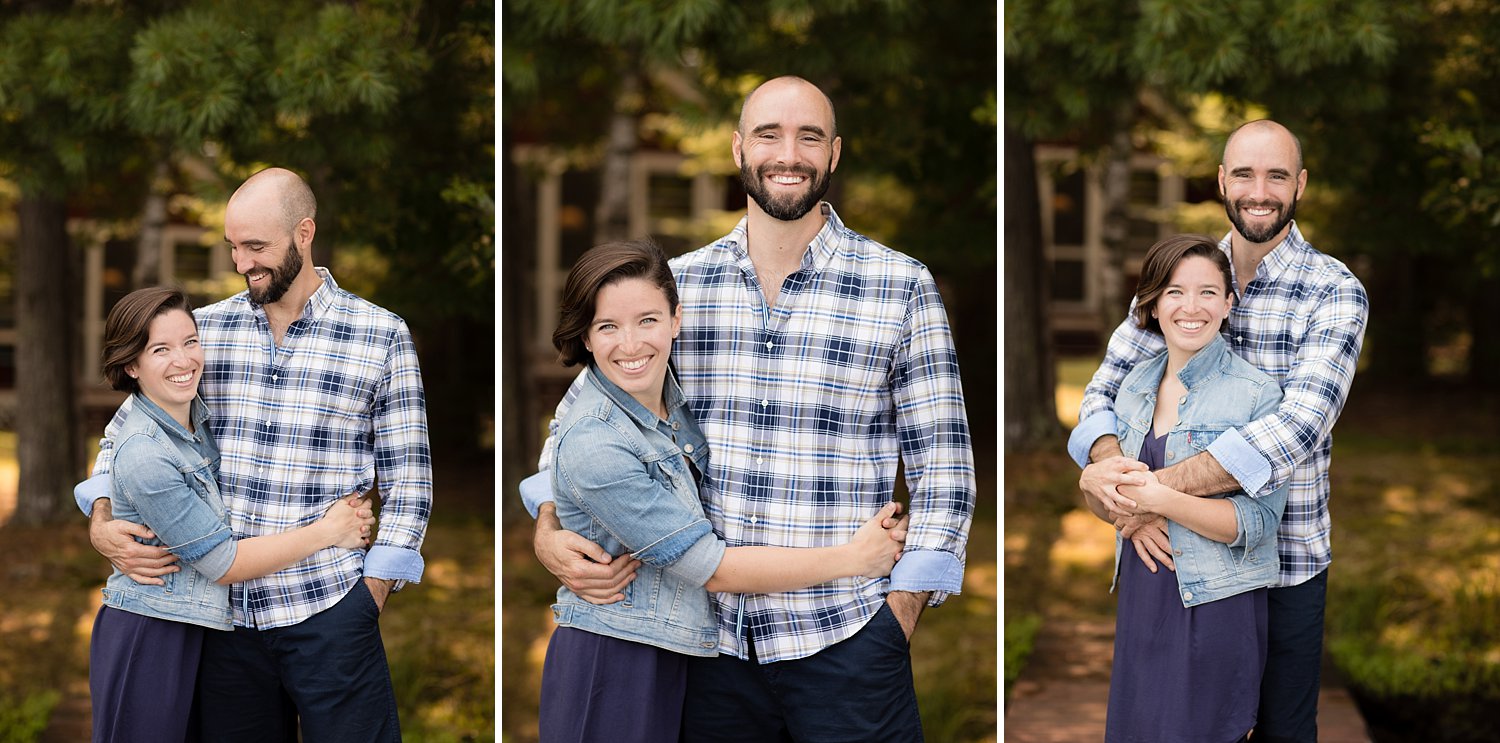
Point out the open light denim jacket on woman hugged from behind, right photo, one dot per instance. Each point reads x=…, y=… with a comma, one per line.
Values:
x=1225, y=393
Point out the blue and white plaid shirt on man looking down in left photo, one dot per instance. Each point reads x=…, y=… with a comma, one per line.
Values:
x=304, y=424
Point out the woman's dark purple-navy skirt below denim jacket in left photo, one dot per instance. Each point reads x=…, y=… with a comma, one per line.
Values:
x=142, y=676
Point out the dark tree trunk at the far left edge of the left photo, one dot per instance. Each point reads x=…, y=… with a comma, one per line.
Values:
x=46, y=409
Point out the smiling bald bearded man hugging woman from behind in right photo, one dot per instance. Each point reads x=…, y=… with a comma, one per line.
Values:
x=1301, y=319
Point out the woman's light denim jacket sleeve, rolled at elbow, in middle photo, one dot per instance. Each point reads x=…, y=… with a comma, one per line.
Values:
x=604, y=478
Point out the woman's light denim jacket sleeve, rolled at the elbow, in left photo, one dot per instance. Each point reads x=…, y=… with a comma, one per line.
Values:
x=169, y=507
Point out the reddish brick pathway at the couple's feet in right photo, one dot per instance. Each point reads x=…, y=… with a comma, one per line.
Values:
x=1063, y=694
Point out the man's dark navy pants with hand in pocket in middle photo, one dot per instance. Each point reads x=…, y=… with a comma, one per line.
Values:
x=854, y=691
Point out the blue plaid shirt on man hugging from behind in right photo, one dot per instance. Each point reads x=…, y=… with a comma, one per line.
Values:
x=1301, y=320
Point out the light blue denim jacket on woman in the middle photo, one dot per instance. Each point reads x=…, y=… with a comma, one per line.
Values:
x=623, y=481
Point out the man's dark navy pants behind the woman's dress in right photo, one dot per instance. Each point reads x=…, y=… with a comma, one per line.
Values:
x=1295, y=657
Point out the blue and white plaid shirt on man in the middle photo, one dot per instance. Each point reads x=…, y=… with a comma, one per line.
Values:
x=809, y=408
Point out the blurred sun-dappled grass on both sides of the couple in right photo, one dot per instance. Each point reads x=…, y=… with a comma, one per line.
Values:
x=1414, y=612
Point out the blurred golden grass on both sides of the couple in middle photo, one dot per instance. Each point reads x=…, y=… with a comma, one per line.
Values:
x=953, y=651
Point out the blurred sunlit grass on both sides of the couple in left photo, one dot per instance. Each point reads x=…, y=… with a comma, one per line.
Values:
x=439, y=634
